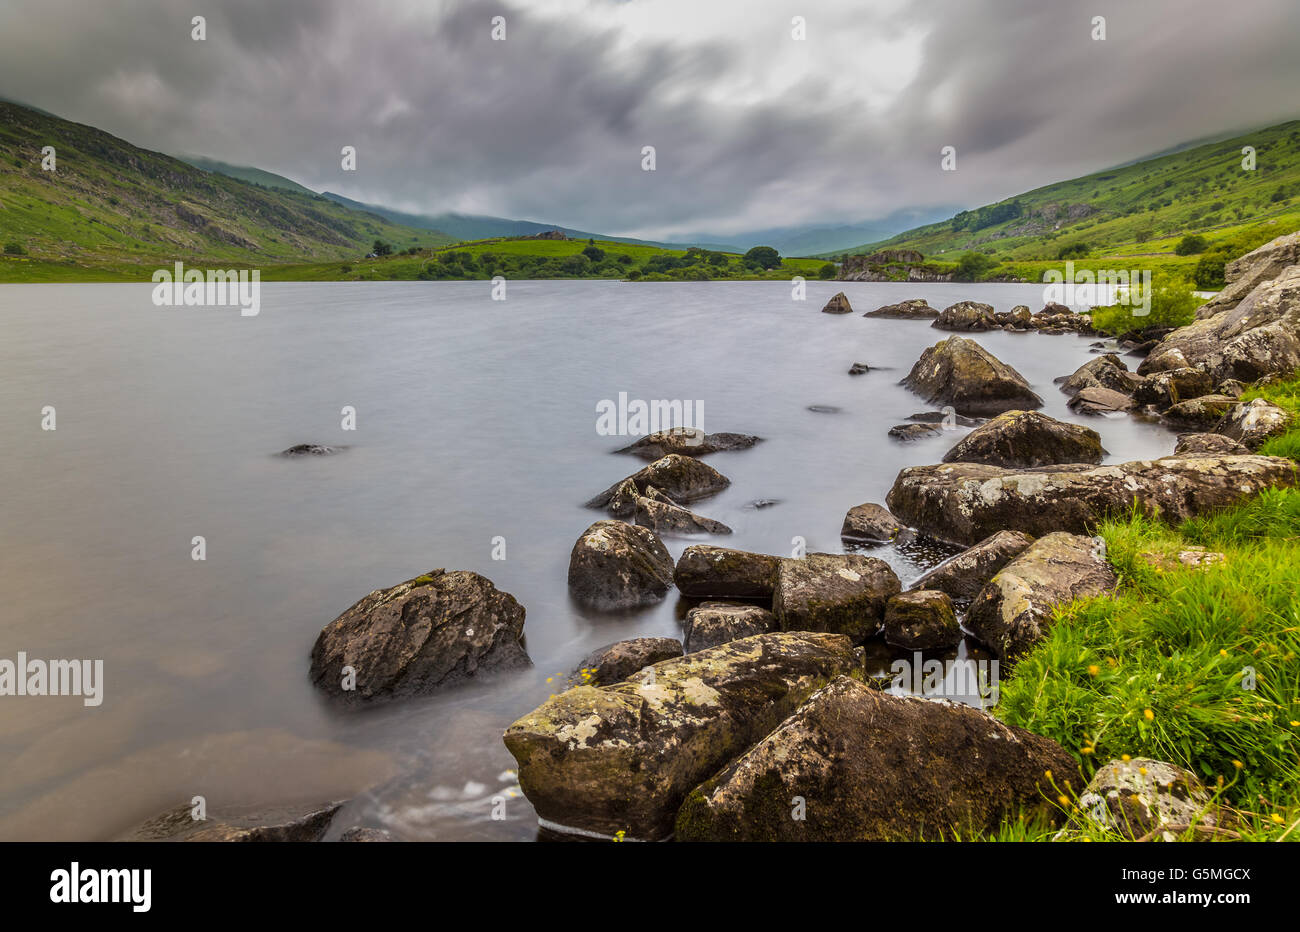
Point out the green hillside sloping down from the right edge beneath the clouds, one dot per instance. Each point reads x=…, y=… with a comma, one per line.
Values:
x=1129, y=209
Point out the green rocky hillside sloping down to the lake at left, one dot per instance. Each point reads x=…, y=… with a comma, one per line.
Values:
x=115, y=205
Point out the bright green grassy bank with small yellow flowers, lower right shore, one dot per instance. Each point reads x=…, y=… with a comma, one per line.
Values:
x=1197, y=667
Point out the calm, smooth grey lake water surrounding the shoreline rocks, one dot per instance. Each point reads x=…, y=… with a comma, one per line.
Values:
x=476, y=419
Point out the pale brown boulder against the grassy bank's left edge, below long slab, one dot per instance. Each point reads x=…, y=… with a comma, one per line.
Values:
x=1015, y=610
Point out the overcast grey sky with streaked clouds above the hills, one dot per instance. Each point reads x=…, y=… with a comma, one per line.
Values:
x=752, y=128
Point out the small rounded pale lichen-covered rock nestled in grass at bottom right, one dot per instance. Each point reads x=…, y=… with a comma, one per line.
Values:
x=1142, y=796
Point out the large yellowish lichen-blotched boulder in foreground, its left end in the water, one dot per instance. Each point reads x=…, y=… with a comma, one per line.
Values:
x=622, y=758
